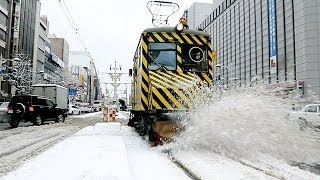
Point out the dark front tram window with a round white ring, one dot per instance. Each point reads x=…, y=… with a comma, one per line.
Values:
x=194, y=58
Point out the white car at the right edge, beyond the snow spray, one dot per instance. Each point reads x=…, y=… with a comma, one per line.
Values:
x=309, y=115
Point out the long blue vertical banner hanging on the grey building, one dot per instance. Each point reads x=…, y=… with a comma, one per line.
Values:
x=272, y=37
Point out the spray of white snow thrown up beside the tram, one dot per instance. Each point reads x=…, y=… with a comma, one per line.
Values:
x=248, y=123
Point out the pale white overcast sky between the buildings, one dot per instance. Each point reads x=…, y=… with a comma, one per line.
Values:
x=110, y=29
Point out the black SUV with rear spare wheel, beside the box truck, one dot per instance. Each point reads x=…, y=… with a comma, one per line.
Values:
x=35, y=109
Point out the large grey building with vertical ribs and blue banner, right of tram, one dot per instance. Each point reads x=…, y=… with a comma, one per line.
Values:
x=276, y=40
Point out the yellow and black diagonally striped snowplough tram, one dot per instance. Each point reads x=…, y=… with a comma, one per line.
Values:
x=168, y=64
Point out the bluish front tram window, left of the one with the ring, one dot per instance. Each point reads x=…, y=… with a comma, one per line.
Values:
x=162, y=55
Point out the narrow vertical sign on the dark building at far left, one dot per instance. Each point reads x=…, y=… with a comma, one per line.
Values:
x=16, y=27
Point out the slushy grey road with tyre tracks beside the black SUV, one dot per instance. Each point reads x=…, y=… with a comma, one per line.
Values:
x=27, y=141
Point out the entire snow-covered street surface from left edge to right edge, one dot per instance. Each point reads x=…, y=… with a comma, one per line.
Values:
x=116, y=151
